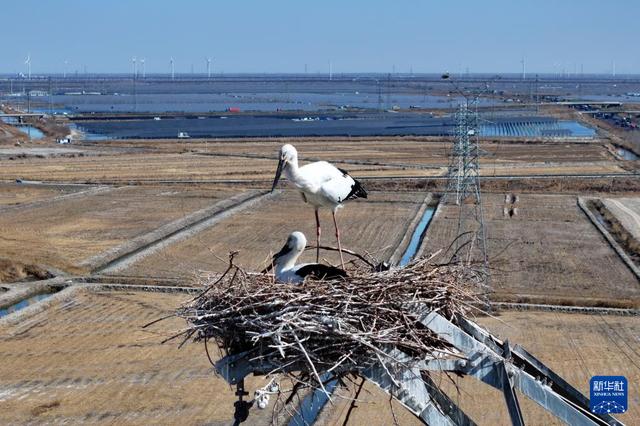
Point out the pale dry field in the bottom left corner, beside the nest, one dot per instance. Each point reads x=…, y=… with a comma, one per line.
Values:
x=88, y=360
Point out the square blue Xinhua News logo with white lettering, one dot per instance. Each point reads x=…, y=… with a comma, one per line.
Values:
x=608, y=394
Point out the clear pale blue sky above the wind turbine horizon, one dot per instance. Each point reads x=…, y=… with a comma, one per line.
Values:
x=356, y=35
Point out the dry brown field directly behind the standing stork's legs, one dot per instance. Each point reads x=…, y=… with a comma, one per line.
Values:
x=375, y=225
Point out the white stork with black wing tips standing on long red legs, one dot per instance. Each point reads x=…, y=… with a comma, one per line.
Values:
x=321, y=184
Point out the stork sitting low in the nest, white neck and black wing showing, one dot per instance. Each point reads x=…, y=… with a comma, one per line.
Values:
x=288, y=272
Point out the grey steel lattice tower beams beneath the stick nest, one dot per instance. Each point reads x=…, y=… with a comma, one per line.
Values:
x=483, y=357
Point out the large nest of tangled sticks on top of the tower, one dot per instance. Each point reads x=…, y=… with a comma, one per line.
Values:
x=330, y=327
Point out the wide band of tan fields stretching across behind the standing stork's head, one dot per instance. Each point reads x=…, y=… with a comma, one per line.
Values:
x=255, y=160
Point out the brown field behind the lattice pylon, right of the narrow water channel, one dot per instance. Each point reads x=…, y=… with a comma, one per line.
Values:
x=547, y=251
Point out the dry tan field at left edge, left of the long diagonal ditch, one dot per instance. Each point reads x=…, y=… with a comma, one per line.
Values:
x=63, y=233
